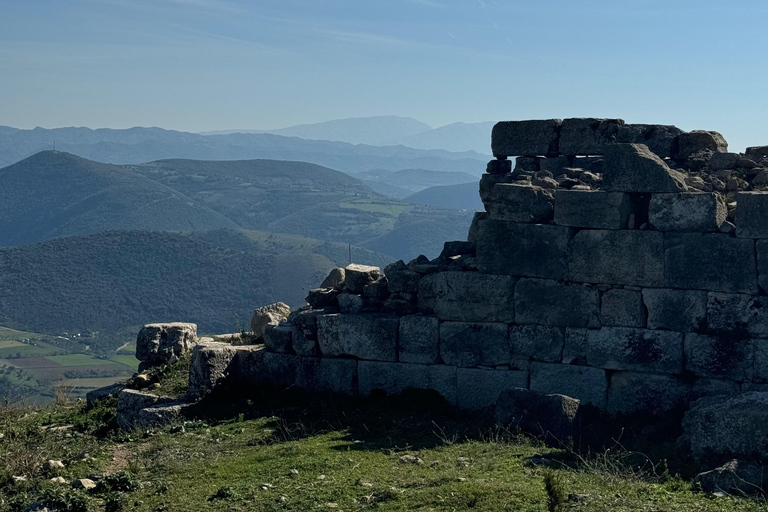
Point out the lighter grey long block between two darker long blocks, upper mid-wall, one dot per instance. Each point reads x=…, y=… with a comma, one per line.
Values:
x=617, y=257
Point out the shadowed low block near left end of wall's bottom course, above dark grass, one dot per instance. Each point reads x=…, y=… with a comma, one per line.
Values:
x=328, y=374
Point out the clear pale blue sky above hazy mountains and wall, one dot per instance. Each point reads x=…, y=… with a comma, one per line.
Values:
x=199, y=65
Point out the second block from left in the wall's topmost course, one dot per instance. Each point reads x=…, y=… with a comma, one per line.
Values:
x=588, y=136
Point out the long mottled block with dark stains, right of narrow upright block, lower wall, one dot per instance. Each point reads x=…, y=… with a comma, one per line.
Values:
x=624, y=348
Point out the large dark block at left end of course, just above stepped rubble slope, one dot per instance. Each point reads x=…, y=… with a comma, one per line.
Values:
x=526, y=250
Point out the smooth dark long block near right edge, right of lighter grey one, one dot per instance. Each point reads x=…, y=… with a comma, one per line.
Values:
x=711, y=261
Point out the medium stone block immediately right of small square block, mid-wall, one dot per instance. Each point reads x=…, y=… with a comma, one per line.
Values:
x=676, y=310
